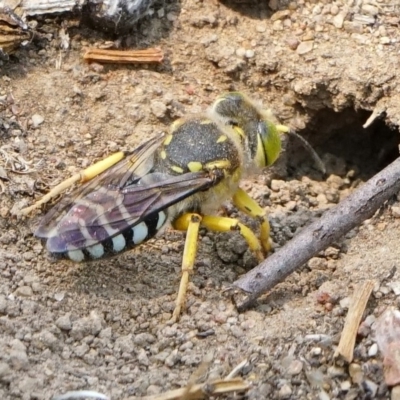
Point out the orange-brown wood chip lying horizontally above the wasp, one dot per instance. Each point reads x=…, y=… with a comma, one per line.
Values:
x=124, y=56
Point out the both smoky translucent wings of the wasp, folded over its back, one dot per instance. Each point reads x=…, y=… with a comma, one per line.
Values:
x=118, y=199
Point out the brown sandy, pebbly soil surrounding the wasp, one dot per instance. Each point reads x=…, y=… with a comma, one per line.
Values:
x=104, y=326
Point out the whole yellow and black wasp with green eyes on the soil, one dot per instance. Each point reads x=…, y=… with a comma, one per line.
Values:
x=179, y=179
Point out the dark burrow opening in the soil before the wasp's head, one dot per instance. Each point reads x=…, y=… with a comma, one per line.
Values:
x=340, y=139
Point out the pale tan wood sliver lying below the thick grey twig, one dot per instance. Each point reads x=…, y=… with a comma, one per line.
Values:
x=358, y=303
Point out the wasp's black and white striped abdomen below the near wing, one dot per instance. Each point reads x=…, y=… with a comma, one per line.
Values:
x=112, y=245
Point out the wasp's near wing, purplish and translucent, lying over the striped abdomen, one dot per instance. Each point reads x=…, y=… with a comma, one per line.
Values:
x=105, y=213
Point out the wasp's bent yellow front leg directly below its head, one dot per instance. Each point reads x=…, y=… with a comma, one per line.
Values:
x=250, y=207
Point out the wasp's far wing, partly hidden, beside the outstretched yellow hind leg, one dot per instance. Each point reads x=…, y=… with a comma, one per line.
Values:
x=133, y=166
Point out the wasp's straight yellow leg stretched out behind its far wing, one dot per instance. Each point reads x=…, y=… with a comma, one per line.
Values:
x=81, y=177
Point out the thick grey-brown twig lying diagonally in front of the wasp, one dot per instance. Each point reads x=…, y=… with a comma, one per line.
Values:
x=332, y=226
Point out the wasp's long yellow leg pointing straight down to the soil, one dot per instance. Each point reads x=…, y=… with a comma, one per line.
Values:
x=191, y=224
